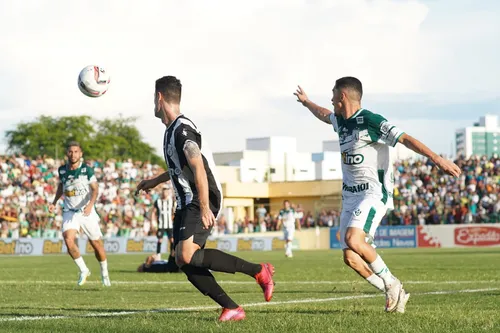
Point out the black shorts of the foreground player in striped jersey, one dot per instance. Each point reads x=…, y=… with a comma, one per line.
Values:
x=187, y=223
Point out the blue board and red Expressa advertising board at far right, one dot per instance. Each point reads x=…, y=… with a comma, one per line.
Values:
x=446, y=236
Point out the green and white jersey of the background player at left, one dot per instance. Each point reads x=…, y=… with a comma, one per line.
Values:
x=76, y=186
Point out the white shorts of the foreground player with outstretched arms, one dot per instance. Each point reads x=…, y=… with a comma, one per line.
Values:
x=365, y=215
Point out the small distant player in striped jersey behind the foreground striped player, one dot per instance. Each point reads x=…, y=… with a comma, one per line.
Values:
x=163, y=212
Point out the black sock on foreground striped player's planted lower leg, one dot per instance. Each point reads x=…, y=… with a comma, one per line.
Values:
x=205, y=282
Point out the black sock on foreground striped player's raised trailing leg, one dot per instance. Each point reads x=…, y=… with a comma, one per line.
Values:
x=223, y=262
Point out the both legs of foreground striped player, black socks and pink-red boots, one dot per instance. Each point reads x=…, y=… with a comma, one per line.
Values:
x=196, y=262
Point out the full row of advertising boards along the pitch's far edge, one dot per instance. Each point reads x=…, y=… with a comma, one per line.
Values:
x=446, y=236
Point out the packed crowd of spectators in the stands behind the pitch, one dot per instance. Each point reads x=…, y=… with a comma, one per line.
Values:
x=423, y=195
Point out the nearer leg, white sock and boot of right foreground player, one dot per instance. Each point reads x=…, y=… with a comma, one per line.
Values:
x=355, y=239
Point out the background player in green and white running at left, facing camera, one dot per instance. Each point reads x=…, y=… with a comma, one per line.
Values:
x=79, y=186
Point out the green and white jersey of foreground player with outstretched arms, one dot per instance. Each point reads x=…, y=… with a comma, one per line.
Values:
x=366, y=162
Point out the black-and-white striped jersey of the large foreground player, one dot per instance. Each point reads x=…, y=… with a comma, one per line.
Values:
x=180, y=131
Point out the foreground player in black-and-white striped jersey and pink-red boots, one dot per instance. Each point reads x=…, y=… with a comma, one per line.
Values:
x=199, y=200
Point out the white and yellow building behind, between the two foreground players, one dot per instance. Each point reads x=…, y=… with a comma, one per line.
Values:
x=270, y=170
